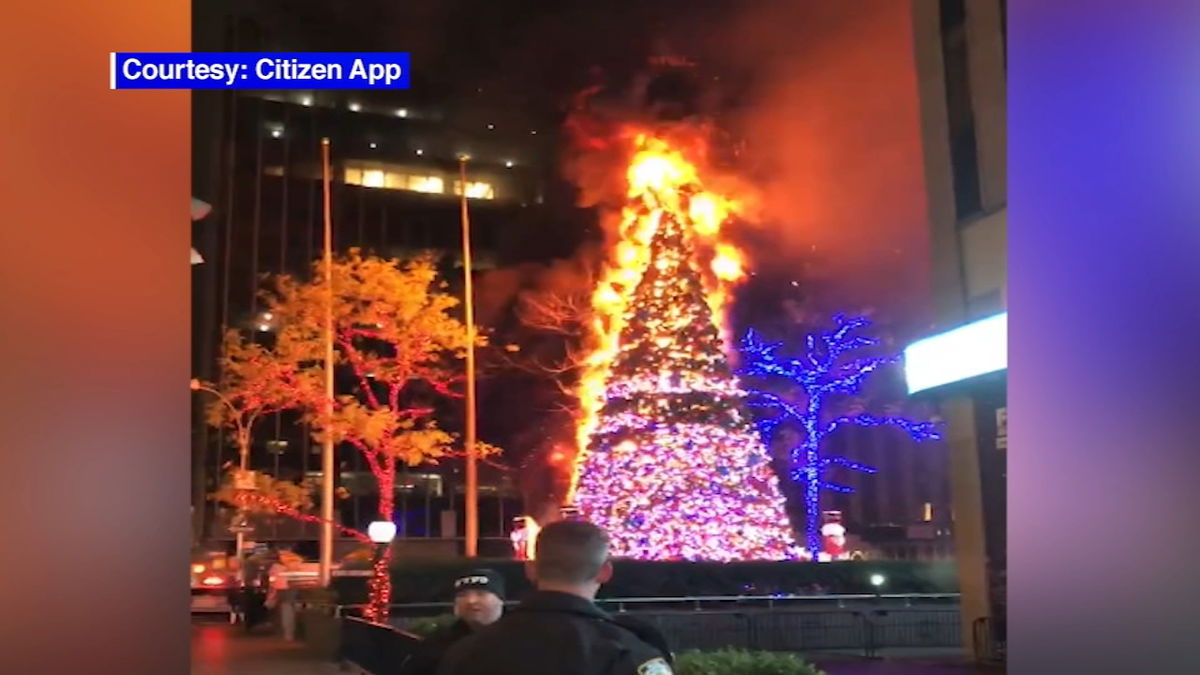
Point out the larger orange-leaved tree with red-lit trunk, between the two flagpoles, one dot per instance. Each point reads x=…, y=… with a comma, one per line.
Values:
x=397, y=341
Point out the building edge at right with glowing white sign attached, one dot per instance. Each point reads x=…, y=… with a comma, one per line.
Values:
x=962, y=61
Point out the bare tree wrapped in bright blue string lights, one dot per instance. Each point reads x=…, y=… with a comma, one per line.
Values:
x=832, y=367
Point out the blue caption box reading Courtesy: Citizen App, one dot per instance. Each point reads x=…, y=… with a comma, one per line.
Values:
x=261, y=70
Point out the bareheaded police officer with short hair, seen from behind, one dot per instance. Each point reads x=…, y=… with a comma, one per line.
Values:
x=559, y=629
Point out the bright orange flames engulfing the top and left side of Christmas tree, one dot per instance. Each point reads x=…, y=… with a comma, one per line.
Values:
x=662, y=181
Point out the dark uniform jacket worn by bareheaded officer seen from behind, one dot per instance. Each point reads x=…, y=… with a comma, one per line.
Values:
x=555, y=634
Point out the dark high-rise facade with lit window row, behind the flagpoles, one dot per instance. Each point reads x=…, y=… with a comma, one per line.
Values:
x=395, y=192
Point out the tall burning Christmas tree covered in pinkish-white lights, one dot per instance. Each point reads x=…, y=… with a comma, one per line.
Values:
x=674, y=468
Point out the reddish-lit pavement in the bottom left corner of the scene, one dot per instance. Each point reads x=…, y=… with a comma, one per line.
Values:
x=219, y=649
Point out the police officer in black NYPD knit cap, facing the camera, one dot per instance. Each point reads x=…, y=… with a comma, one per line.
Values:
x=478, y=602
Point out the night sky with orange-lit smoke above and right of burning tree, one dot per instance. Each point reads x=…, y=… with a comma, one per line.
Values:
x=826, y=97
